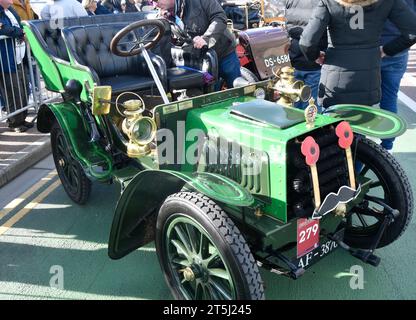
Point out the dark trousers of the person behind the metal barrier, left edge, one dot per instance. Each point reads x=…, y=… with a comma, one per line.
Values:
x=14, y=95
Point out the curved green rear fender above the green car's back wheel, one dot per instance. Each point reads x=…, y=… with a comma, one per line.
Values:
x=96, y=163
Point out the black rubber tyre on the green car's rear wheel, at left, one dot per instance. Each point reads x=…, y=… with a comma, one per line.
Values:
x=79, y=194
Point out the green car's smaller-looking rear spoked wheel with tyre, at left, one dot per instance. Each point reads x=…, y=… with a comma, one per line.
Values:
x=73, y=178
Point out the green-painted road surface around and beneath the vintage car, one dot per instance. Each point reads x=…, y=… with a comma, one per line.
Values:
x=55, y=233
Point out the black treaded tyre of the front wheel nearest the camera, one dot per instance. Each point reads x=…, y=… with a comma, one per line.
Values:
x=227, y=238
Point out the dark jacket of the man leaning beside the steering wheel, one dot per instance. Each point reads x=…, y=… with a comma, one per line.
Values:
x=207, y=18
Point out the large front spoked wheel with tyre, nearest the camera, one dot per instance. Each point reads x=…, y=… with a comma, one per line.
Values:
x=202, y=253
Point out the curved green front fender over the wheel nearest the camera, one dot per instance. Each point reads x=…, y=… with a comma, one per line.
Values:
x=135, y=217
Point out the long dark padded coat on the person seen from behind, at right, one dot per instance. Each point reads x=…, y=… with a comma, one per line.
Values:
x=351, y=73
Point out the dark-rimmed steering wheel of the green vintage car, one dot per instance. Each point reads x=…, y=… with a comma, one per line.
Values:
x=136, y=36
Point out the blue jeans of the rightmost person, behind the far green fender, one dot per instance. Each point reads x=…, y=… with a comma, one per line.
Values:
x=392, y=71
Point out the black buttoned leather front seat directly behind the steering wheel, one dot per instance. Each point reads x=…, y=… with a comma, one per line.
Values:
x=89, y=46
